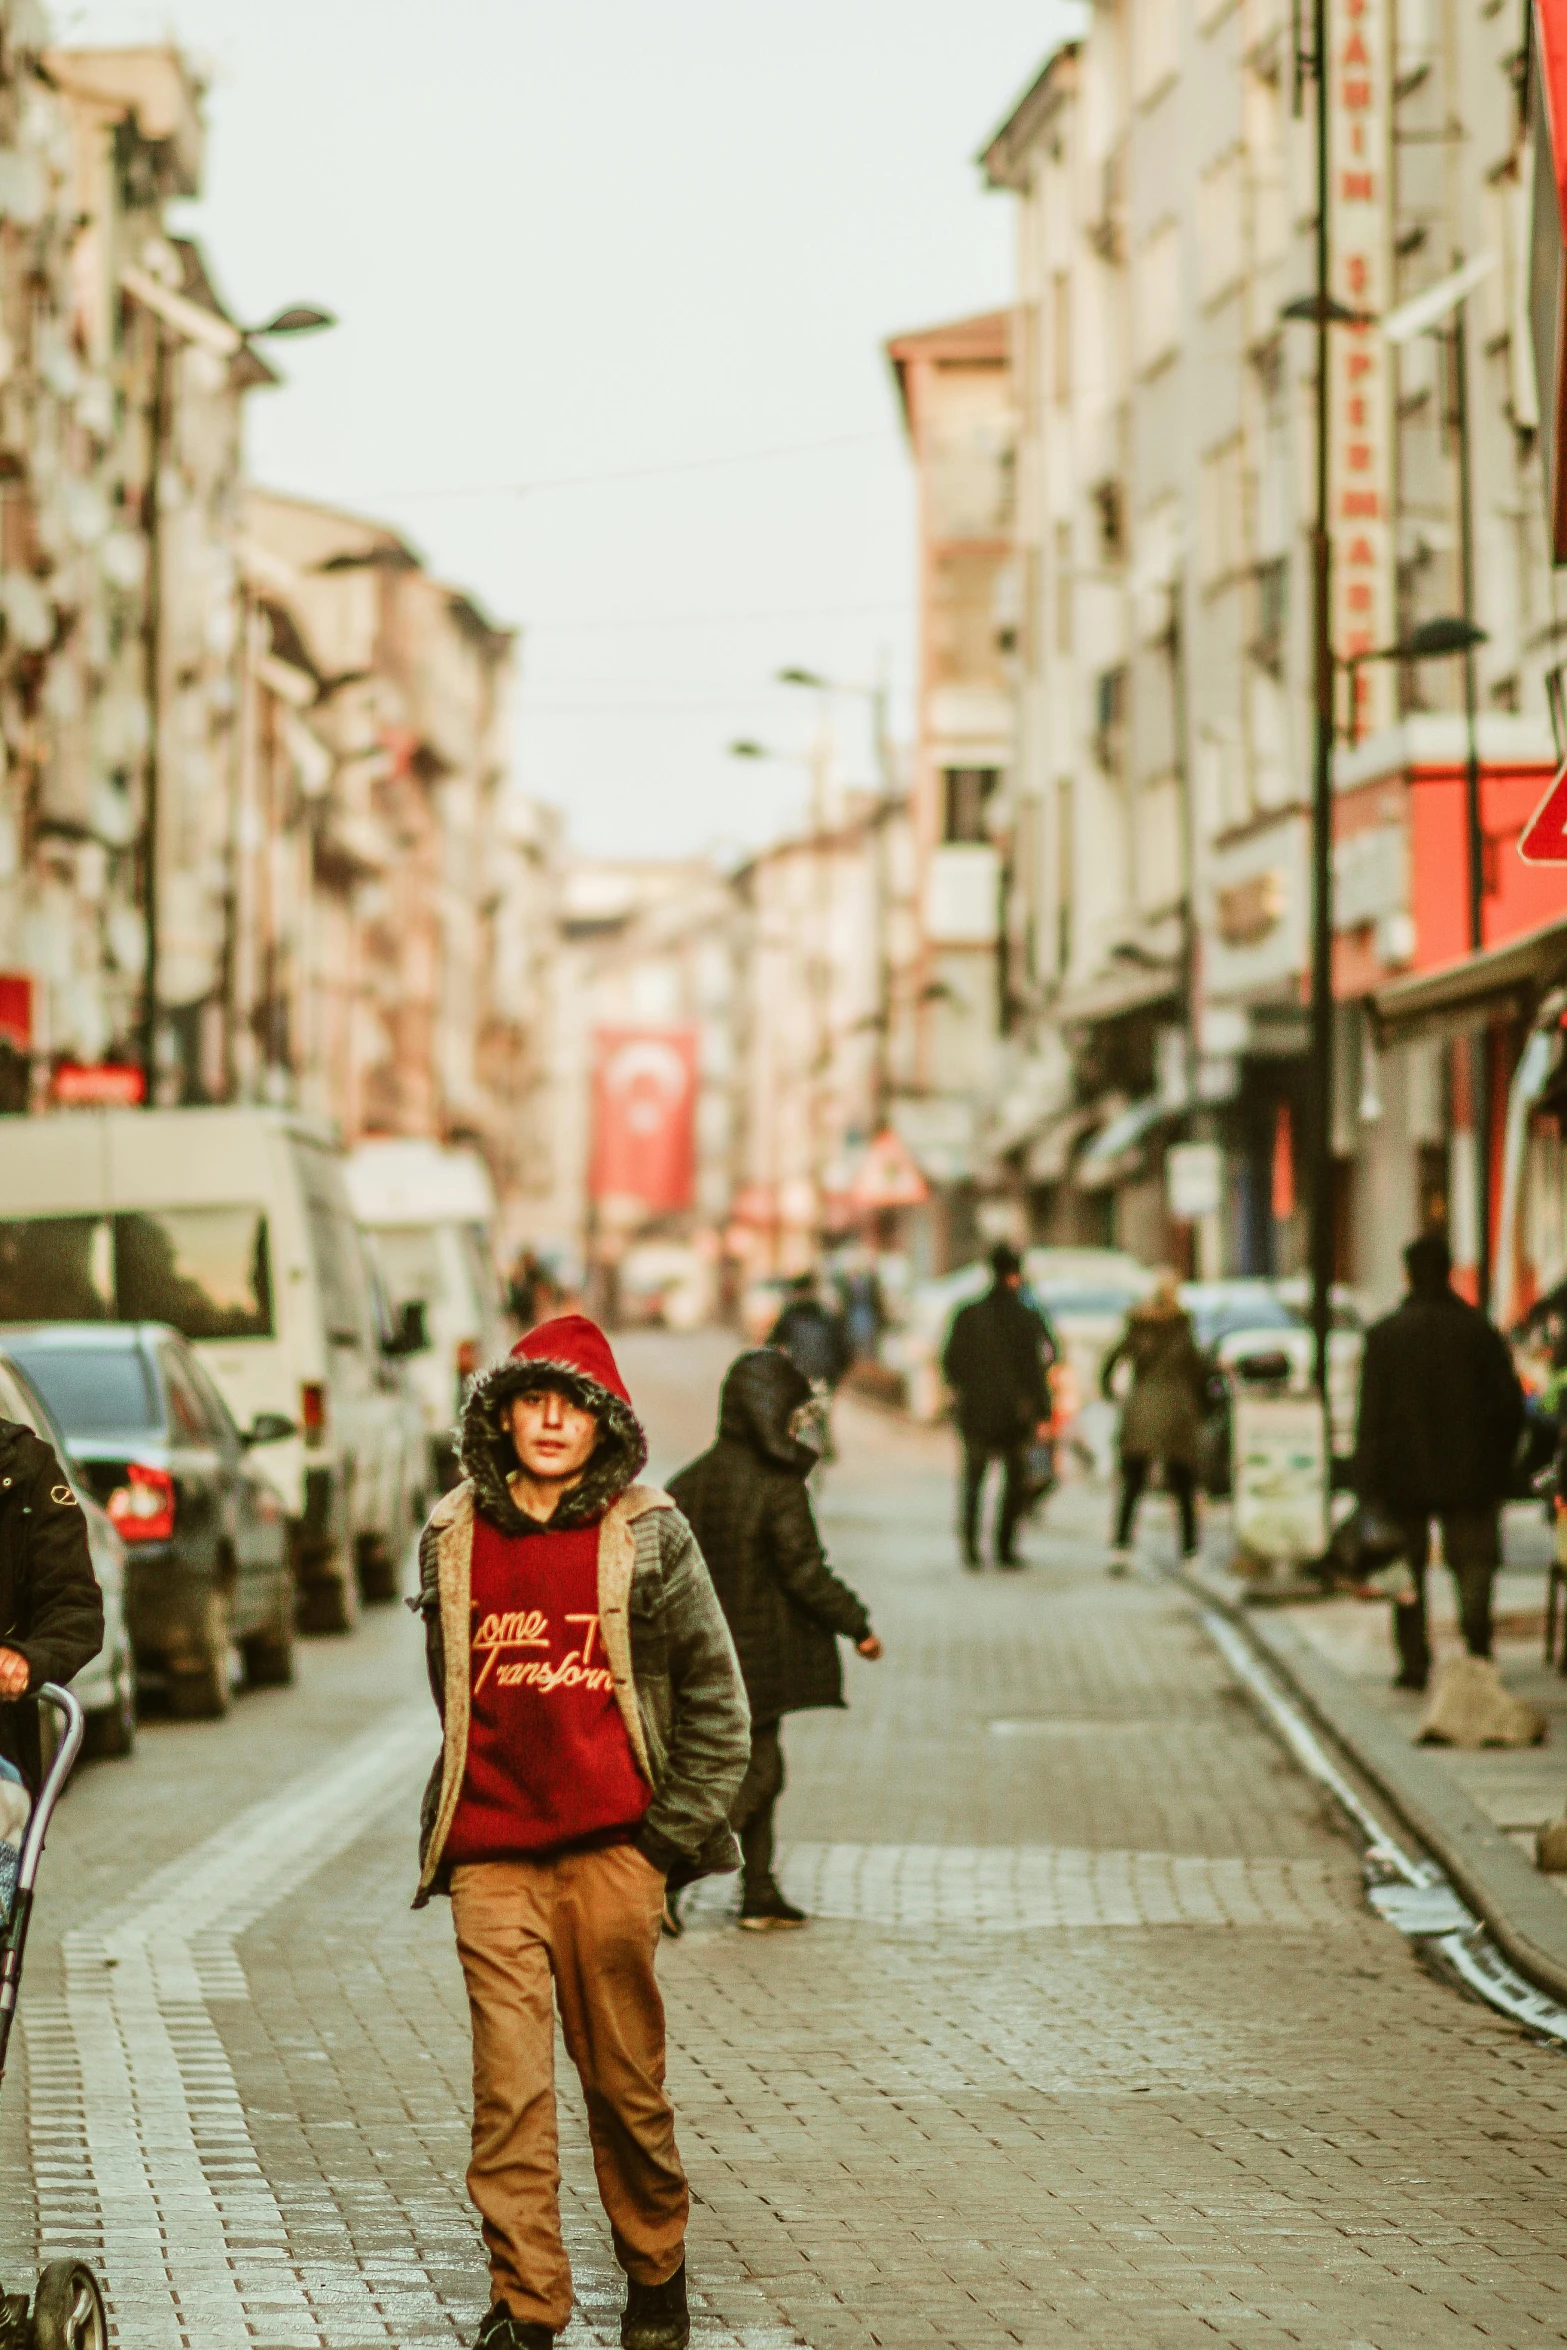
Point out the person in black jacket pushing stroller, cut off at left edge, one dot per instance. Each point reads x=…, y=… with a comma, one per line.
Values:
x=51, y=1602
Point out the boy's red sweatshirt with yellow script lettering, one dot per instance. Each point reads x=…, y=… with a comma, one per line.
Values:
x=549, y=1754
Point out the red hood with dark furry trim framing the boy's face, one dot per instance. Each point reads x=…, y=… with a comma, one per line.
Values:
x=572, y=1357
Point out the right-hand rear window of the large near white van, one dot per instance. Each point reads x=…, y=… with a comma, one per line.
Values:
x=203, y=1270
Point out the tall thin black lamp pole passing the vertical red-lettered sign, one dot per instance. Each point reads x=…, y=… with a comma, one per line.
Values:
x=1321, y=777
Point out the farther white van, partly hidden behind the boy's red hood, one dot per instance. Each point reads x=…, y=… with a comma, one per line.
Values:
x=431, y=1218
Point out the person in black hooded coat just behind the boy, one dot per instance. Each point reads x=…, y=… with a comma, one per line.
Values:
x=748, y=1508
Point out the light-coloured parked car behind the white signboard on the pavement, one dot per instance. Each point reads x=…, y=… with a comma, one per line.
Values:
x=1253, y=1320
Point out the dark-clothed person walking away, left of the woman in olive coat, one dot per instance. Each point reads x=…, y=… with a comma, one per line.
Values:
x=997, y=1362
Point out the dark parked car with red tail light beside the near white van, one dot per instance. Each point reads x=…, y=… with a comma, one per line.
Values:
x=206, y=1536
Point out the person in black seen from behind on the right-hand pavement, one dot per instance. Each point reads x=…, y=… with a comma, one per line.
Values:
x=1441, y=1411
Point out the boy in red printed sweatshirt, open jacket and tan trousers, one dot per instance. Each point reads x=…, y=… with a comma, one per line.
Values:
x=596, y=1733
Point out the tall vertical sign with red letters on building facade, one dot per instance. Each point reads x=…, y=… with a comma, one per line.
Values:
x=1359, y=361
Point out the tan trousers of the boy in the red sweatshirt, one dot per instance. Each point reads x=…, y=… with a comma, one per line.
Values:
x=591, y=1923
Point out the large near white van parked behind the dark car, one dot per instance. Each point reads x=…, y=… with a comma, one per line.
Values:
x=236, y=1228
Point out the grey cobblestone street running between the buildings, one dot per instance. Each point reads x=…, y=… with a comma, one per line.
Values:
x=1094, y=2036
